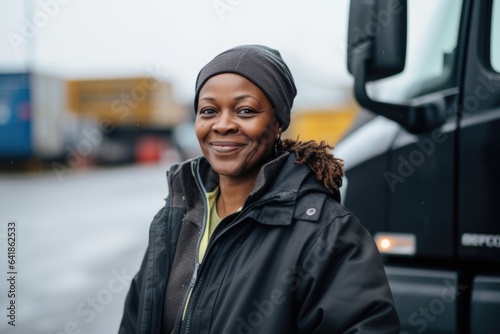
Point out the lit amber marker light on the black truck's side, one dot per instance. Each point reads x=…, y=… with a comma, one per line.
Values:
x=396, y=243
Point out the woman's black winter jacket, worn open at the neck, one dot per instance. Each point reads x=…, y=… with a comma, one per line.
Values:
x=292, y=261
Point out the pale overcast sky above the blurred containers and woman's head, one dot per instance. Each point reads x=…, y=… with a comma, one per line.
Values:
x=174, y=39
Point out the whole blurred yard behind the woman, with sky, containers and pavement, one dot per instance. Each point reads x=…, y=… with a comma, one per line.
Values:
x=96, y=103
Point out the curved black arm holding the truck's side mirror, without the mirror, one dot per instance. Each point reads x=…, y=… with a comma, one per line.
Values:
x=415, y=119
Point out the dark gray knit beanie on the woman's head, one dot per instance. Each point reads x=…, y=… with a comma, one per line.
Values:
x=264, y=67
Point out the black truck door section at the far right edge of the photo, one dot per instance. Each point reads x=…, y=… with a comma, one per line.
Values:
x=478, y=208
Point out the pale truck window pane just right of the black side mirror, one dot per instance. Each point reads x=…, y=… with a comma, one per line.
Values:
x=433, y=27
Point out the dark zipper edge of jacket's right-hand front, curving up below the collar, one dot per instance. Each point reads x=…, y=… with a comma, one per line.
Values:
x=211, y=253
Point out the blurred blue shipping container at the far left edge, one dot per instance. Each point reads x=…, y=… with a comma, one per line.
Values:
x=15, y=116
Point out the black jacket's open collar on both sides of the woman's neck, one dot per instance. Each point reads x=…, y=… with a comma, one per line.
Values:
x=273, y=201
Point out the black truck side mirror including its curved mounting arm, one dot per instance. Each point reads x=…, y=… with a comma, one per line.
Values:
x=376, y=50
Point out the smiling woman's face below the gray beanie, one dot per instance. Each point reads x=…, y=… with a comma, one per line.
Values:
x=235, y=125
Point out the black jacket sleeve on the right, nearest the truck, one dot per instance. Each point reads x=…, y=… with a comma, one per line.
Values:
x=344, y=288
